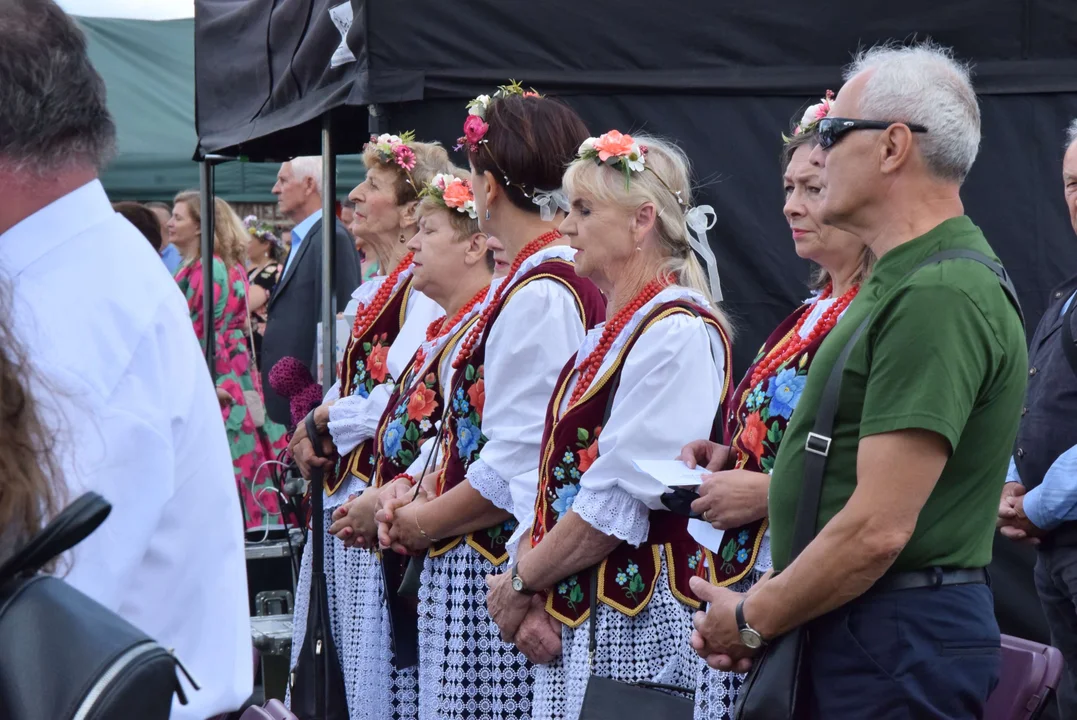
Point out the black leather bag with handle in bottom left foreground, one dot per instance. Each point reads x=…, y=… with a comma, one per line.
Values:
x=64, y=656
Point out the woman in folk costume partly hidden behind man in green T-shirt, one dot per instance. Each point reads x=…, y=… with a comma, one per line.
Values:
x=766, y=399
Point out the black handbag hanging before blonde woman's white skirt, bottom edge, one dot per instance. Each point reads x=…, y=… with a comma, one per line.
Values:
x=607, y=699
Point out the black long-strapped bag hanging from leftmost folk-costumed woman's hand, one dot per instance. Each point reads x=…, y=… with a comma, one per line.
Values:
x=318, y=691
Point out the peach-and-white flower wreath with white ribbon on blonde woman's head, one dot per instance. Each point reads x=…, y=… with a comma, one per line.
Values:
x=625, y=154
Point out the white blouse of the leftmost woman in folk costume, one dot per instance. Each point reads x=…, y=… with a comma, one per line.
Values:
x=355, y=419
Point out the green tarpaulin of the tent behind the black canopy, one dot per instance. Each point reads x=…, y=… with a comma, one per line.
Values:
x=149, y=69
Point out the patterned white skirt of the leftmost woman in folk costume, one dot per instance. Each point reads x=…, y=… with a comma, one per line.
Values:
x=360, y=625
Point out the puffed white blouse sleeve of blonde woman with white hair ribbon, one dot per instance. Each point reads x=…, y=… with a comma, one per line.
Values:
x=670, y=389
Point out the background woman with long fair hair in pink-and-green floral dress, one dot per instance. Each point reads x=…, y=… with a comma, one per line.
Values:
x=254, y=439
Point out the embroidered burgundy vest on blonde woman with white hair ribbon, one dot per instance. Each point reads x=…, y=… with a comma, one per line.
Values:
x=628, y=576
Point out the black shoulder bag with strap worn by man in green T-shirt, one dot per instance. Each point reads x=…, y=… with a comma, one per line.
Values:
x=775, y=688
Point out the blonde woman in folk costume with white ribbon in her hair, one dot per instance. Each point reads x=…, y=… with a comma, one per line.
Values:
x=658, y=370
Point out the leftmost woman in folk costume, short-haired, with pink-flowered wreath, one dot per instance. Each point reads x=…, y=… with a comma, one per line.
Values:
x=390, y=323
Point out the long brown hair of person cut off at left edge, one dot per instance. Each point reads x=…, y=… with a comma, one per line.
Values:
x=30, y=493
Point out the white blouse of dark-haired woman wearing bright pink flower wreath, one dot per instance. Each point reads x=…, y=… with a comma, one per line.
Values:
x=531, y=341
